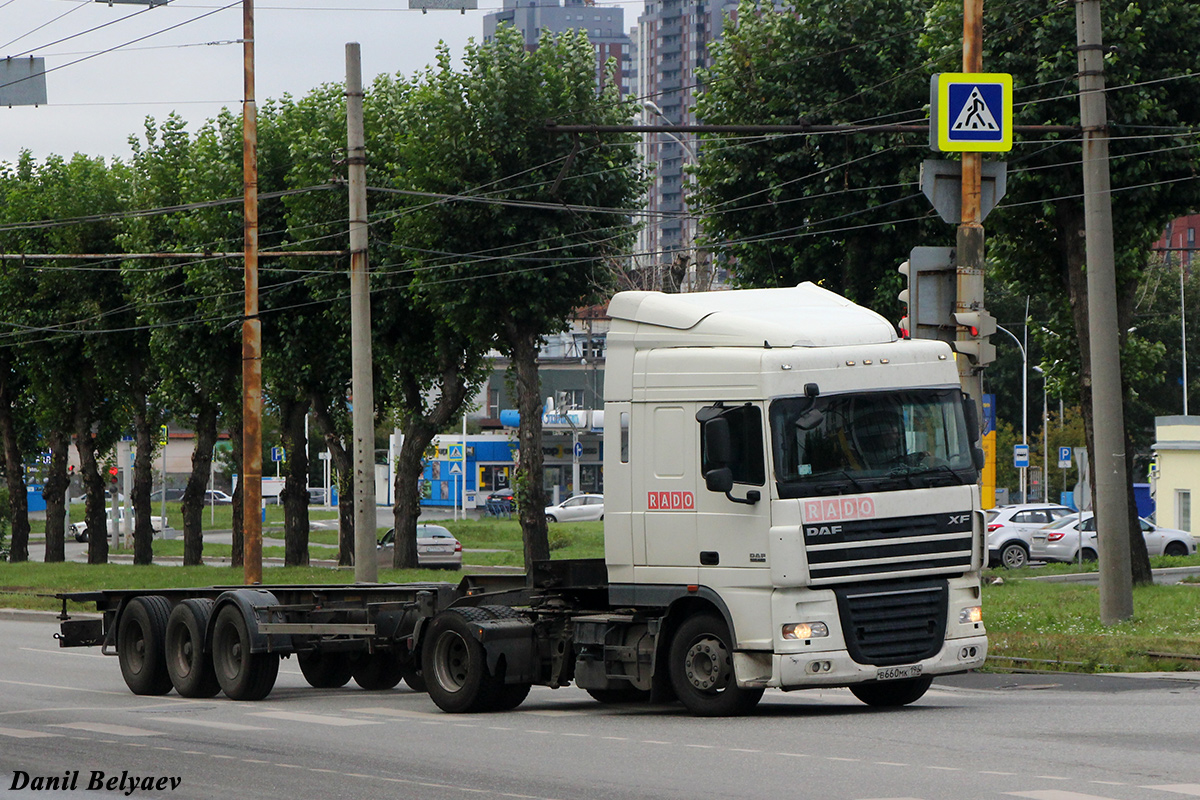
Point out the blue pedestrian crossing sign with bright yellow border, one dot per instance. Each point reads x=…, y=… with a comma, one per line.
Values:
x=971, y=112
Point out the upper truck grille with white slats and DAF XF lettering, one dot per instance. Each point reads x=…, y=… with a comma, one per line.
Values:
x=887, y=549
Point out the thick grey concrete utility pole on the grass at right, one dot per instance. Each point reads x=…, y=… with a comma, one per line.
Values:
x=1112, y=507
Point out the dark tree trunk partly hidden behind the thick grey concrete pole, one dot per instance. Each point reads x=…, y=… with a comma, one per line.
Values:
x=1071, y=220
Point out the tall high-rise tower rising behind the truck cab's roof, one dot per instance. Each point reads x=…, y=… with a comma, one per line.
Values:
x=673, y=45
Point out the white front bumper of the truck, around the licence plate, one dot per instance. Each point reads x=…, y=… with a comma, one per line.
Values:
x=838, y=669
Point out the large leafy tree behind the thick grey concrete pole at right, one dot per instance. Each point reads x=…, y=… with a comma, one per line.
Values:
x=1036, y=237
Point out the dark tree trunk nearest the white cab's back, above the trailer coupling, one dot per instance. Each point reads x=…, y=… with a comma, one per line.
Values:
x=530, y=490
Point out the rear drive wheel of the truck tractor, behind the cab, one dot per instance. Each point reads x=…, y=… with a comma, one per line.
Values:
x=455, y=666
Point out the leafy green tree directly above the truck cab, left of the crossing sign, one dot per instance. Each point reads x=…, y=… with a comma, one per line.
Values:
x=841, y=210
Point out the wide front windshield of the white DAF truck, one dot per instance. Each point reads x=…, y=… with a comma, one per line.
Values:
x=871, y=442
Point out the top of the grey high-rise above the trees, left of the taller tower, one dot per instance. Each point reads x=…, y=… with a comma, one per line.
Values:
x=605, y=27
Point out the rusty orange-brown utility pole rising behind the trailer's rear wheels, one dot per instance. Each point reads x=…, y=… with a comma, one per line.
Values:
x=251, y=326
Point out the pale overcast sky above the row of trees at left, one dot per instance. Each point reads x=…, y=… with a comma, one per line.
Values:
x=187, y=58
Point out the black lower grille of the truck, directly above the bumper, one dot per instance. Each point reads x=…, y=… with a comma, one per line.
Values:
x=895, y=623
